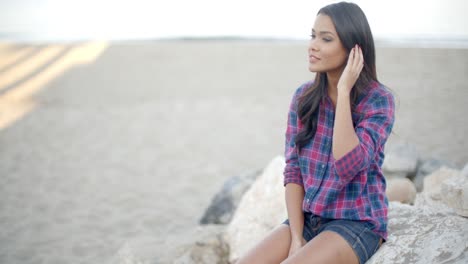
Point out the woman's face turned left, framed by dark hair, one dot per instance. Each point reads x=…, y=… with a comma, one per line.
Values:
x=326, y=53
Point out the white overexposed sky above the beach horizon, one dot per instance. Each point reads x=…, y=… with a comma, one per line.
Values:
x=114, y=19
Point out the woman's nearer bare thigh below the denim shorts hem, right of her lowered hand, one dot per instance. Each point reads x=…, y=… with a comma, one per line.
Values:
x=327, y=247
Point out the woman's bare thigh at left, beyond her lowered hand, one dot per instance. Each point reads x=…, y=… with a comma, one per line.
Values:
x=274, y=248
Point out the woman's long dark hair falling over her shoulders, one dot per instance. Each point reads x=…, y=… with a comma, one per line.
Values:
x=352, y=28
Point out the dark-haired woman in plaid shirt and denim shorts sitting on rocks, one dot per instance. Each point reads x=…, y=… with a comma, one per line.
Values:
x=337, y=128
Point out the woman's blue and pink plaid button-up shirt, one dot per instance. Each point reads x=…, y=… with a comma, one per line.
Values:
x=352, y=187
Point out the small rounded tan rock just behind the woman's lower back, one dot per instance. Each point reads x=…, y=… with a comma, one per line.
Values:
x=401, y=190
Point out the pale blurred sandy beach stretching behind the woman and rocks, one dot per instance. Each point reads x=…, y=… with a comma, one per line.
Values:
x=106, y=144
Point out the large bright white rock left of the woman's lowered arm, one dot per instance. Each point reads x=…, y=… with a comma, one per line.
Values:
x=261, y=209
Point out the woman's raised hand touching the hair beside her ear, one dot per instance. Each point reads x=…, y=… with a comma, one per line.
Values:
x=352, y=70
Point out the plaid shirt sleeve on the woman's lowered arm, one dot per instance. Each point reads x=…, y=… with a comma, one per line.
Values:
x=292, y=172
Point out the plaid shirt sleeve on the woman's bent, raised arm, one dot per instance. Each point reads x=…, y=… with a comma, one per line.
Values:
x=373, y=131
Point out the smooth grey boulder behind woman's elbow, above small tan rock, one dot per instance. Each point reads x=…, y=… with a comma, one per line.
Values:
x=401, y=160
